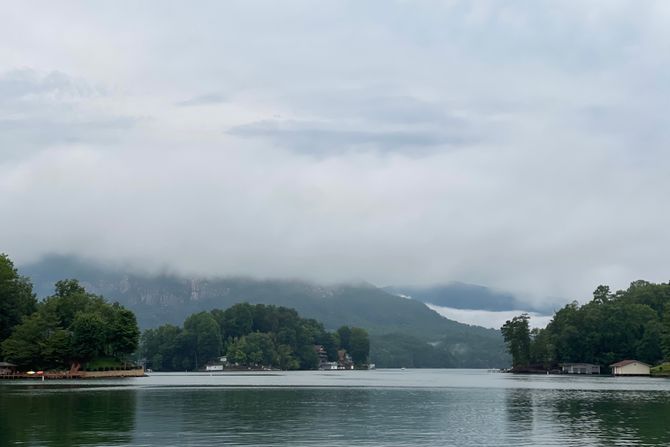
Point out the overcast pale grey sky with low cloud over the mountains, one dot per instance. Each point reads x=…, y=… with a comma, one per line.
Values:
x=522, y=145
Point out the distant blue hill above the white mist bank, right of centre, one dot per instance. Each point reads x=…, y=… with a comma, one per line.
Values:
x=460, y=295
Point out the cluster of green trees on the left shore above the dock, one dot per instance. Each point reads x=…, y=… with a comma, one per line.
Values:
x=65, y=330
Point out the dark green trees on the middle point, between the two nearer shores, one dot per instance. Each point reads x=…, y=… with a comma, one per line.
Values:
x=249, y=335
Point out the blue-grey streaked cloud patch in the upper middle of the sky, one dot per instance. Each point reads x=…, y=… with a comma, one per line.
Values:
x=354, y=121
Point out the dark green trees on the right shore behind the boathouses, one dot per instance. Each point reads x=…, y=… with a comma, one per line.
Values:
x=627, y=324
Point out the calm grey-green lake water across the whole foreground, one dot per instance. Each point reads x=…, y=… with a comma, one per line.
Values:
x=338, y=408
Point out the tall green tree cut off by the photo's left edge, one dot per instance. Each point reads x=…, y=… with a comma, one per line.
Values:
x=17, y=299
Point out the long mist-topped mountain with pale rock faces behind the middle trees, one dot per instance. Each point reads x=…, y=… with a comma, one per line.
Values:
x=403, y=332
